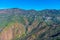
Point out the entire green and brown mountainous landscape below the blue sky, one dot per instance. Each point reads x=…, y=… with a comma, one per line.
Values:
x=20, y=24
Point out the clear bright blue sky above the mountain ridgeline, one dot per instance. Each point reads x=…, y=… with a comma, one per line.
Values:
x=30, y=4
